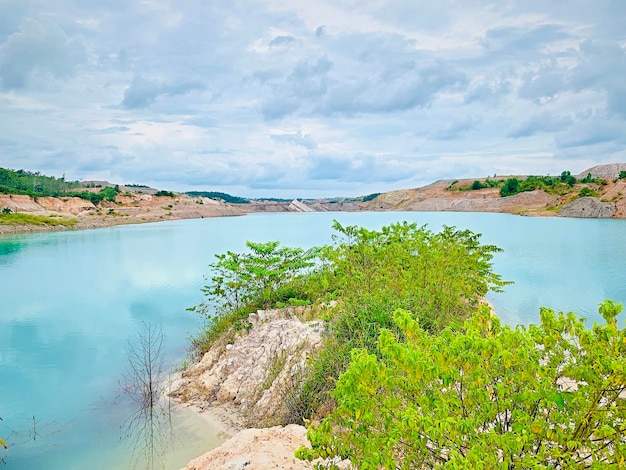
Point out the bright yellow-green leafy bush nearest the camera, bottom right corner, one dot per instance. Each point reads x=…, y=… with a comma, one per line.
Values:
x=483, y=396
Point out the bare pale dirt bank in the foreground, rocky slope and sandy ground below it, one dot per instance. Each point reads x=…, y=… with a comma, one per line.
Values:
x=243, y=382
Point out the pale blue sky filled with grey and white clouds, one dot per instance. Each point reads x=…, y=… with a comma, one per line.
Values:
x=310, y=98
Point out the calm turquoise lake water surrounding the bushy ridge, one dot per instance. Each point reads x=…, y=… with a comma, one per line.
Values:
x=72, y=300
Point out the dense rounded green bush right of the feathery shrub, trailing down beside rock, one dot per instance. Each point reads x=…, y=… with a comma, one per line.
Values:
x=441, y=277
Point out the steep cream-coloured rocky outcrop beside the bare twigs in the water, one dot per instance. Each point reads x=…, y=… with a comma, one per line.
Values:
x=254, y=369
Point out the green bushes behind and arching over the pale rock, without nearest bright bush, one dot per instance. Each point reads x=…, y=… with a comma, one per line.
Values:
x=441, y=277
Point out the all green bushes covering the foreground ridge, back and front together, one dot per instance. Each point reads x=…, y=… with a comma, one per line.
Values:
x=415, y=371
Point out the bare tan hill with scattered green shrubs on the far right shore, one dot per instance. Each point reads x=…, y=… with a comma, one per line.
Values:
x=598, y=195
